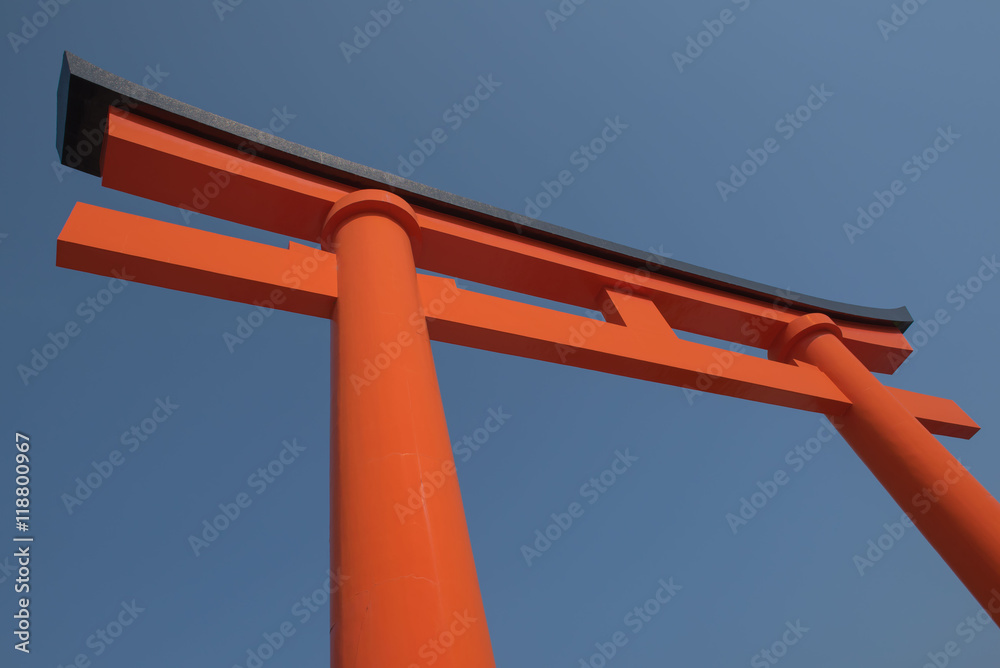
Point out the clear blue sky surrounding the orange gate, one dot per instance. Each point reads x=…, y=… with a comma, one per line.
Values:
x=887, y=94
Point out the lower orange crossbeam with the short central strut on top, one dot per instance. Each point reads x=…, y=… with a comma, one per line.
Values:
x=636, y=342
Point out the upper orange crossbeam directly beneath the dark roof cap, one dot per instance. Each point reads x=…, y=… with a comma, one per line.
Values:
x=156, y=162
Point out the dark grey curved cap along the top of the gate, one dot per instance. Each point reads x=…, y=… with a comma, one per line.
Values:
x=86, y=91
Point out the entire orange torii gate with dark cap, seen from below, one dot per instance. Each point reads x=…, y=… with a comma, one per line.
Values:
x=407, y=579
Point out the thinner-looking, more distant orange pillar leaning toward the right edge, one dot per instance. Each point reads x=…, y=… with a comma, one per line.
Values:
x=956, y=514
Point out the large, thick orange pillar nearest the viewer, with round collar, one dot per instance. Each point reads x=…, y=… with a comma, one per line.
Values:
x=409, y=595
